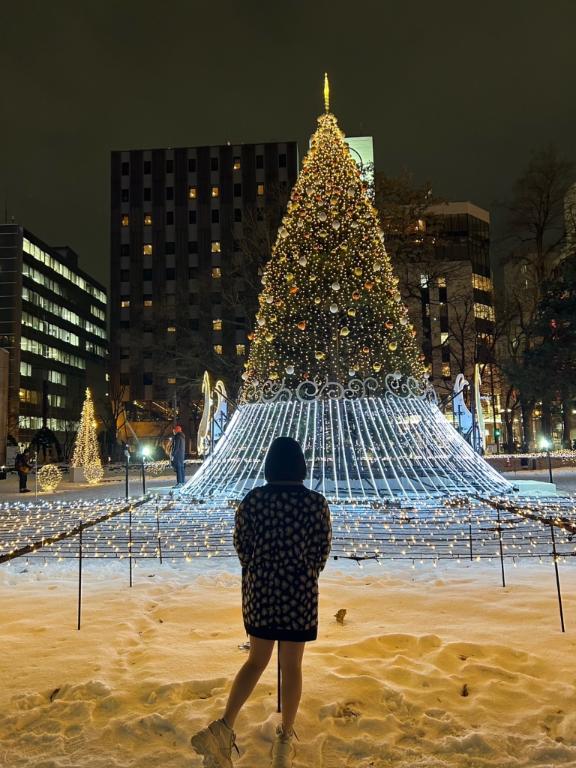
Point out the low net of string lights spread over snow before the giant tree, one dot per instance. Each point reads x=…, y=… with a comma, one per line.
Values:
x=458, y=528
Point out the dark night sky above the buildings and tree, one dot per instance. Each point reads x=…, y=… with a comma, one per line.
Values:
x=456, y=92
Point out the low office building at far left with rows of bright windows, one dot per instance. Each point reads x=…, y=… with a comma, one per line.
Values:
x=53, y=324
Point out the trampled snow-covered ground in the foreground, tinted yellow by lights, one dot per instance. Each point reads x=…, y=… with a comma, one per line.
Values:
x=433, y=667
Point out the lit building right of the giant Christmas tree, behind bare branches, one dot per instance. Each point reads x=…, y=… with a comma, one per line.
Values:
x=451, y=303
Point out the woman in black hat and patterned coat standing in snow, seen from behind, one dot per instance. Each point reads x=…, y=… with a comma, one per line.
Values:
x=282, y=536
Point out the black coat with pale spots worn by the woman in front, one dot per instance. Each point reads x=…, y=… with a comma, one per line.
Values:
x=282, y=536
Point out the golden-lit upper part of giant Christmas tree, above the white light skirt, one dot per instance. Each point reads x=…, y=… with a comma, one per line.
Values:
x=330, y=308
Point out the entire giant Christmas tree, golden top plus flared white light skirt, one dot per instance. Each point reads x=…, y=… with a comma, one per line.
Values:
x=334, y=361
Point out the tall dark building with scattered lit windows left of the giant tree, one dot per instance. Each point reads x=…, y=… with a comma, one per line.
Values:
x=181, y=221
